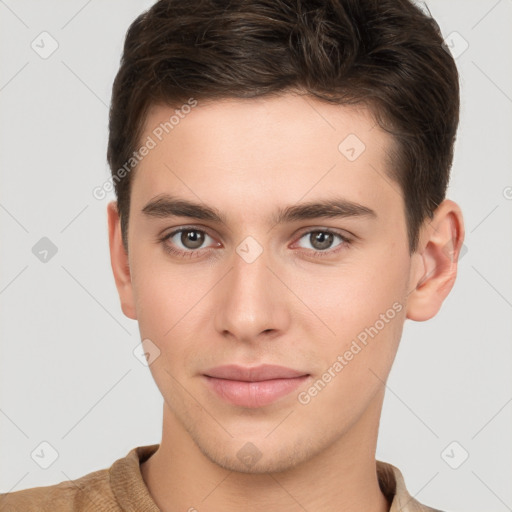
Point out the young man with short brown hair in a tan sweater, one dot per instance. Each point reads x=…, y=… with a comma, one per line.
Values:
x=280, y=170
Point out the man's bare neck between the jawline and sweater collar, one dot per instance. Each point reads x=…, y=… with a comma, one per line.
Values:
x=340, y=478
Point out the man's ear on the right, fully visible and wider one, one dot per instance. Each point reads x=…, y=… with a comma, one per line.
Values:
x=434, y=266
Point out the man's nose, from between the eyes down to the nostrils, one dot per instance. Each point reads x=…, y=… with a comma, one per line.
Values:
x=249, y=303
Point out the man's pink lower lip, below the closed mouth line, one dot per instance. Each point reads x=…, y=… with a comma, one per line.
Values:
x=254, y=394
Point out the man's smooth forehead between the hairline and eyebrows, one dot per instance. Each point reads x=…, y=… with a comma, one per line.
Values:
x=261, y=150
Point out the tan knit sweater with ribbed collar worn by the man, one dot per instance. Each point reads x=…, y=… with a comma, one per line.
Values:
x=121, y=488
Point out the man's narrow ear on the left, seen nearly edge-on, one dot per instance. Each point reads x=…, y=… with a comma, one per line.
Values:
x=120, y=263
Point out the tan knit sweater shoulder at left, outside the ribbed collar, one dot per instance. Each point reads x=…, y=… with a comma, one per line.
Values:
x=91, y=492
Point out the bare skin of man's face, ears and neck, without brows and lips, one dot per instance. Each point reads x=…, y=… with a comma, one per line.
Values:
x=247, y=158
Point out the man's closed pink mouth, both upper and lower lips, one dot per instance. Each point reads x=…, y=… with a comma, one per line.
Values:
x=253, y=387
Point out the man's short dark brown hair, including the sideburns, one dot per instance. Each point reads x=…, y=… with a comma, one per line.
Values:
x=385, y=54
